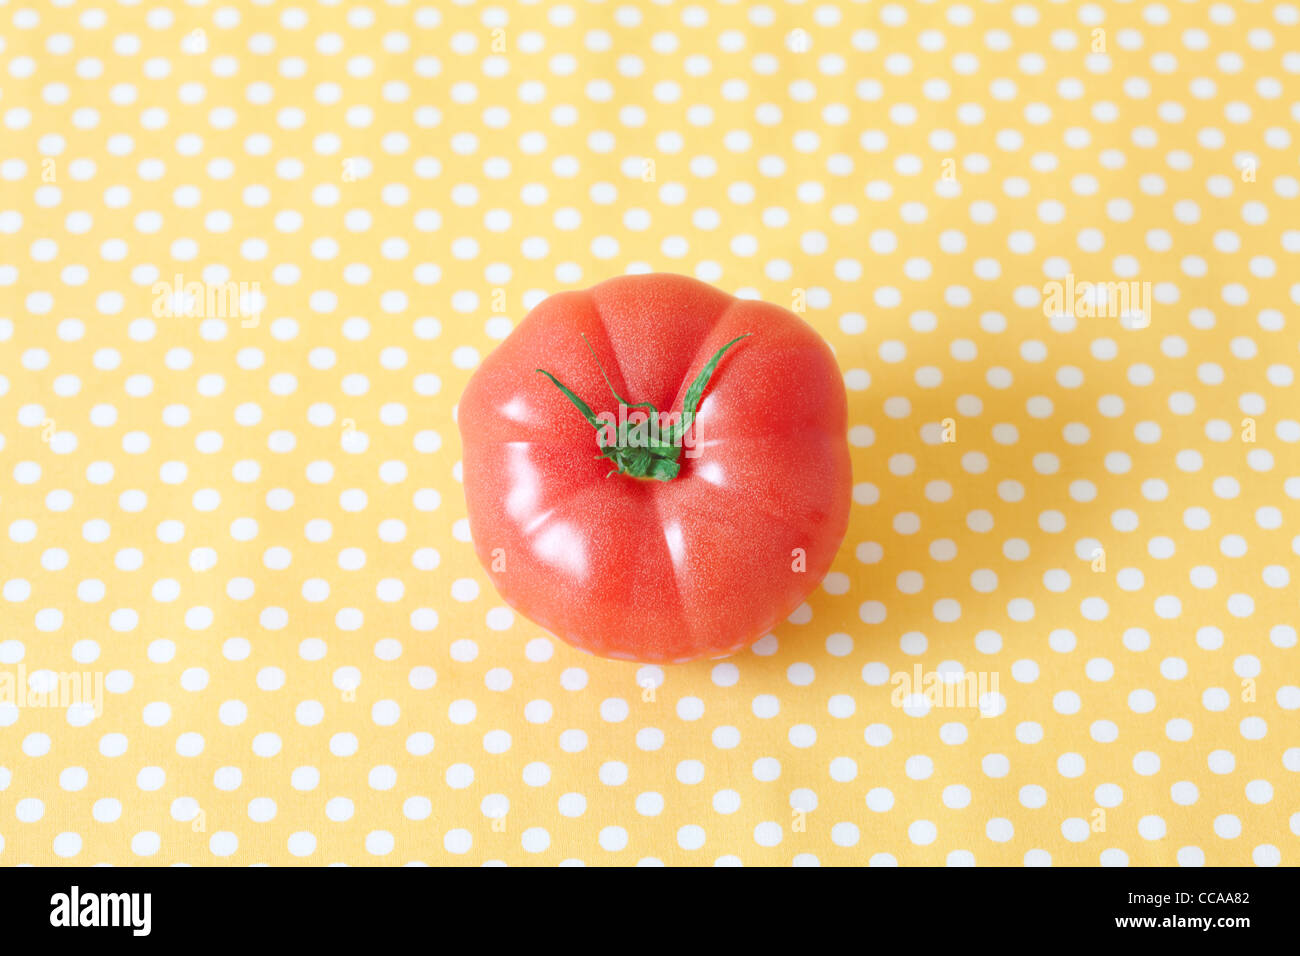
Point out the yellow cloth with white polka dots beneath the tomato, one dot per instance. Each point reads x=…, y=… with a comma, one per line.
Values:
x=250, y=254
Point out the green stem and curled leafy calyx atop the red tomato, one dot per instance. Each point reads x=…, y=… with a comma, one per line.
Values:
x=651, y=447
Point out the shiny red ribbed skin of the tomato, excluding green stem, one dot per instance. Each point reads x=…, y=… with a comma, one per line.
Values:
x=644, y=570
